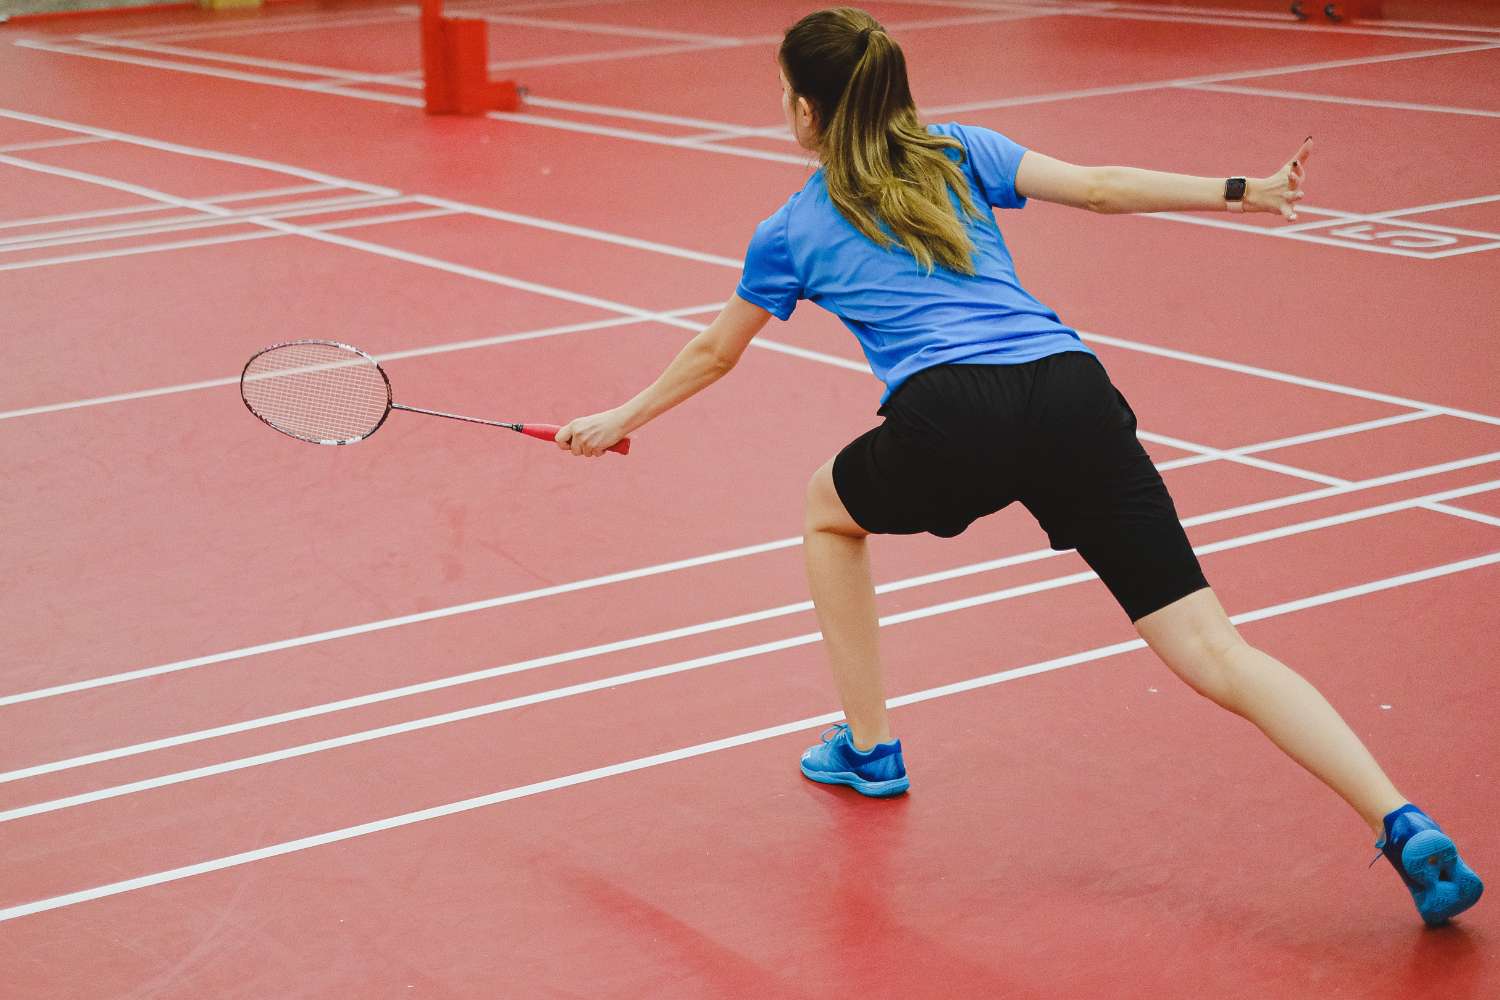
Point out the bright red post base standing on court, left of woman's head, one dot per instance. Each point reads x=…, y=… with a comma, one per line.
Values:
x=455, y=68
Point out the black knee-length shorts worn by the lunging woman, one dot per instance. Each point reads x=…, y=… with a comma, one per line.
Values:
x=962, y=442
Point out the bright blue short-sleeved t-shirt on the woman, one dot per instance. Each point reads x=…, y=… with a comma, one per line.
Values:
x=905, y=319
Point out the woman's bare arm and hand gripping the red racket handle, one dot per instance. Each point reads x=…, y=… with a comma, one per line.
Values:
x=703, y=362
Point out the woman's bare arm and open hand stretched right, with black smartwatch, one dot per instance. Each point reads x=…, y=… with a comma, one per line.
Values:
x=1120, y=190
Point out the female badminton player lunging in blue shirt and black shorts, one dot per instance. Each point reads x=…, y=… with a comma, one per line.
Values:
x=991, y=400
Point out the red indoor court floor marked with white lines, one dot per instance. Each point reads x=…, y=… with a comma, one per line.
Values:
x=452, y=716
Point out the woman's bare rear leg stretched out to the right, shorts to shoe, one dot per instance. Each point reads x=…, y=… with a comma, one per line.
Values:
x=1196, y=639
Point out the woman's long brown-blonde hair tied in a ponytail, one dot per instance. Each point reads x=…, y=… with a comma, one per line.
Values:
x=881, y=164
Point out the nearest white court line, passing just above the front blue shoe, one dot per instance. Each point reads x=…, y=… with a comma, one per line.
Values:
x=407, y=819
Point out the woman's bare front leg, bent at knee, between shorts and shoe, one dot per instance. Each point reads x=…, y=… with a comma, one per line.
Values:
x=839, y=576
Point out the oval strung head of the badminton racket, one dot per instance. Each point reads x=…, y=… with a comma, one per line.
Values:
x=317, y=392
